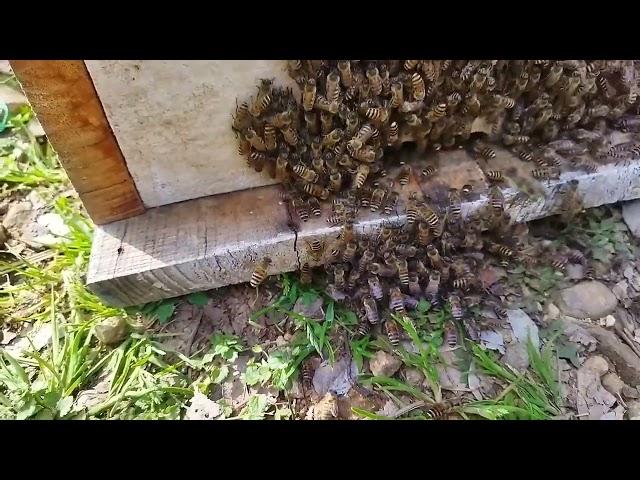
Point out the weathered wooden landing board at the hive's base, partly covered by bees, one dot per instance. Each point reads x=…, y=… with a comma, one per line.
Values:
x=211, y=242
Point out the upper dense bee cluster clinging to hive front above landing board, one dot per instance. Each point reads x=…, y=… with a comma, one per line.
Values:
x=351, y=111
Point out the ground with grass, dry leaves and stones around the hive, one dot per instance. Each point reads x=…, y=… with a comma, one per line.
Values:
x=568, y=348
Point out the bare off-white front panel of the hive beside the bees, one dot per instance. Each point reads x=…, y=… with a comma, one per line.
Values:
x=173, y=122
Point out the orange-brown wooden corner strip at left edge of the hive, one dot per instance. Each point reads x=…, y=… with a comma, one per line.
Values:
x=64, y=99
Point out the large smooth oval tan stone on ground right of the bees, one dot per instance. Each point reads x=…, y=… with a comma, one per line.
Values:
x=590, y=299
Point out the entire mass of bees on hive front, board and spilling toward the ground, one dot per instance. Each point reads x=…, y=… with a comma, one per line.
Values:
x=335, y=143
